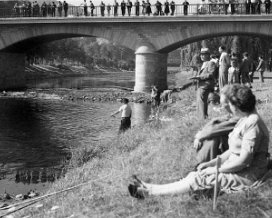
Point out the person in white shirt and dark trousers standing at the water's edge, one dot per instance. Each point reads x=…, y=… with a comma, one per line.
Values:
x=126, y=112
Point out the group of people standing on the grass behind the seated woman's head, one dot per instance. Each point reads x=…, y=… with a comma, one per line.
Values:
x=220, y=72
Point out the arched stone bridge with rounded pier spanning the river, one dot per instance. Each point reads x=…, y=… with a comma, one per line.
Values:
x=152, y=38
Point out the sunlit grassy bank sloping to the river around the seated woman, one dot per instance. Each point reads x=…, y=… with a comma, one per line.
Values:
x=159, y=153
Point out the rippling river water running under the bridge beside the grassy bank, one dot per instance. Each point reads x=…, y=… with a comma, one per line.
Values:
x=36, y=136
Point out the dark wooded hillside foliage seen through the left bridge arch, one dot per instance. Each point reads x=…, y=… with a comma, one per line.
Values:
x=86, y=51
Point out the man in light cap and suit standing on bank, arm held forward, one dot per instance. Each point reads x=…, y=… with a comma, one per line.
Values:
x=205, y=82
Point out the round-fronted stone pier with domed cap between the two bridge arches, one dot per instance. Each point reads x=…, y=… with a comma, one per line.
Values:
x=150, y=69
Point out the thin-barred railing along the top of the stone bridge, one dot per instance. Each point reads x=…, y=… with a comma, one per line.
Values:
x=193, y=9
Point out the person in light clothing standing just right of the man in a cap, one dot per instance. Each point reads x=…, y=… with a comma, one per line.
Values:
x=224, y=63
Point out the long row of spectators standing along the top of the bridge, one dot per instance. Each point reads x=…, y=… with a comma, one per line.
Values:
x=137, y=8
